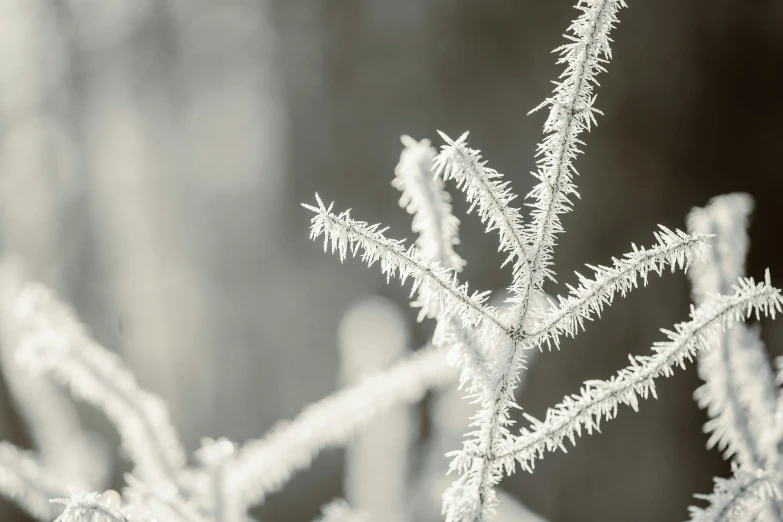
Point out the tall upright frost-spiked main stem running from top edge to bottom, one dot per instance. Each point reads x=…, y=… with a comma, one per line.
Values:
x=571, y=112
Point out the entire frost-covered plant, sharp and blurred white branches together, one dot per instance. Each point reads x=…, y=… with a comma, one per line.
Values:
x=45, y=344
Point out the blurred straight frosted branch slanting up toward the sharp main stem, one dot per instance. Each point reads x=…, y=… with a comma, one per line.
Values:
x=266, y=464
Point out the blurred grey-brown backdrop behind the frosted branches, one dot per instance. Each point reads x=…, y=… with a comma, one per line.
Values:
x=153, y=155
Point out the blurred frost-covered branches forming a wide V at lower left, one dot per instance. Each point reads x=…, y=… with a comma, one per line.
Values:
x=224, y=479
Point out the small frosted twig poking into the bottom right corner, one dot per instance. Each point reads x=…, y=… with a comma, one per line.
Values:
x=738, y=497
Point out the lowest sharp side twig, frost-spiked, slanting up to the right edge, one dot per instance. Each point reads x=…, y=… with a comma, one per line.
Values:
x=599, y=399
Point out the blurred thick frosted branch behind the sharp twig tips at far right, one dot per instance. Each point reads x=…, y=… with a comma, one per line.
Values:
x=739, y=391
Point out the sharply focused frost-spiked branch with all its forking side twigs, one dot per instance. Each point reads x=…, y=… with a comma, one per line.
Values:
x=490, y=346
